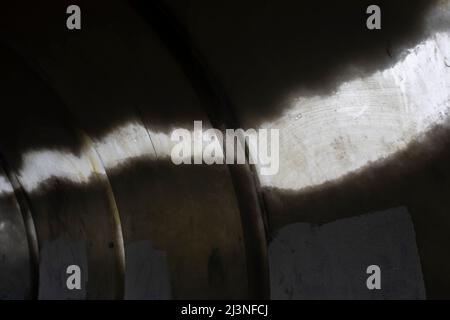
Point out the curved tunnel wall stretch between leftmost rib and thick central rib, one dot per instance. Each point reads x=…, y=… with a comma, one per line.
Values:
x=86, y=185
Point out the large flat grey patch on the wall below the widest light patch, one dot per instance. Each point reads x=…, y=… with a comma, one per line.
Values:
x=330, y=261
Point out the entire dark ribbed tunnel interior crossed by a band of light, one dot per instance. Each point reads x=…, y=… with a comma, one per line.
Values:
x=86, y=176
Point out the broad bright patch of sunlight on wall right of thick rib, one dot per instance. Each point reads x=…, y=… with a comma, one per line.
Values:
x=325, y=137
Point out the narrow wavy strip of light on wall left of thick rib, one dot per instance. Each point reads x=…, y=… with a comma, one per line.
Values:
x=126, y=143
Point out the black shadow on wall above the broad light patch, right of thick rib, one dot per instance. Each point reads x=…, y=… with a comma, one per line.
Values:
x=267, y=52
